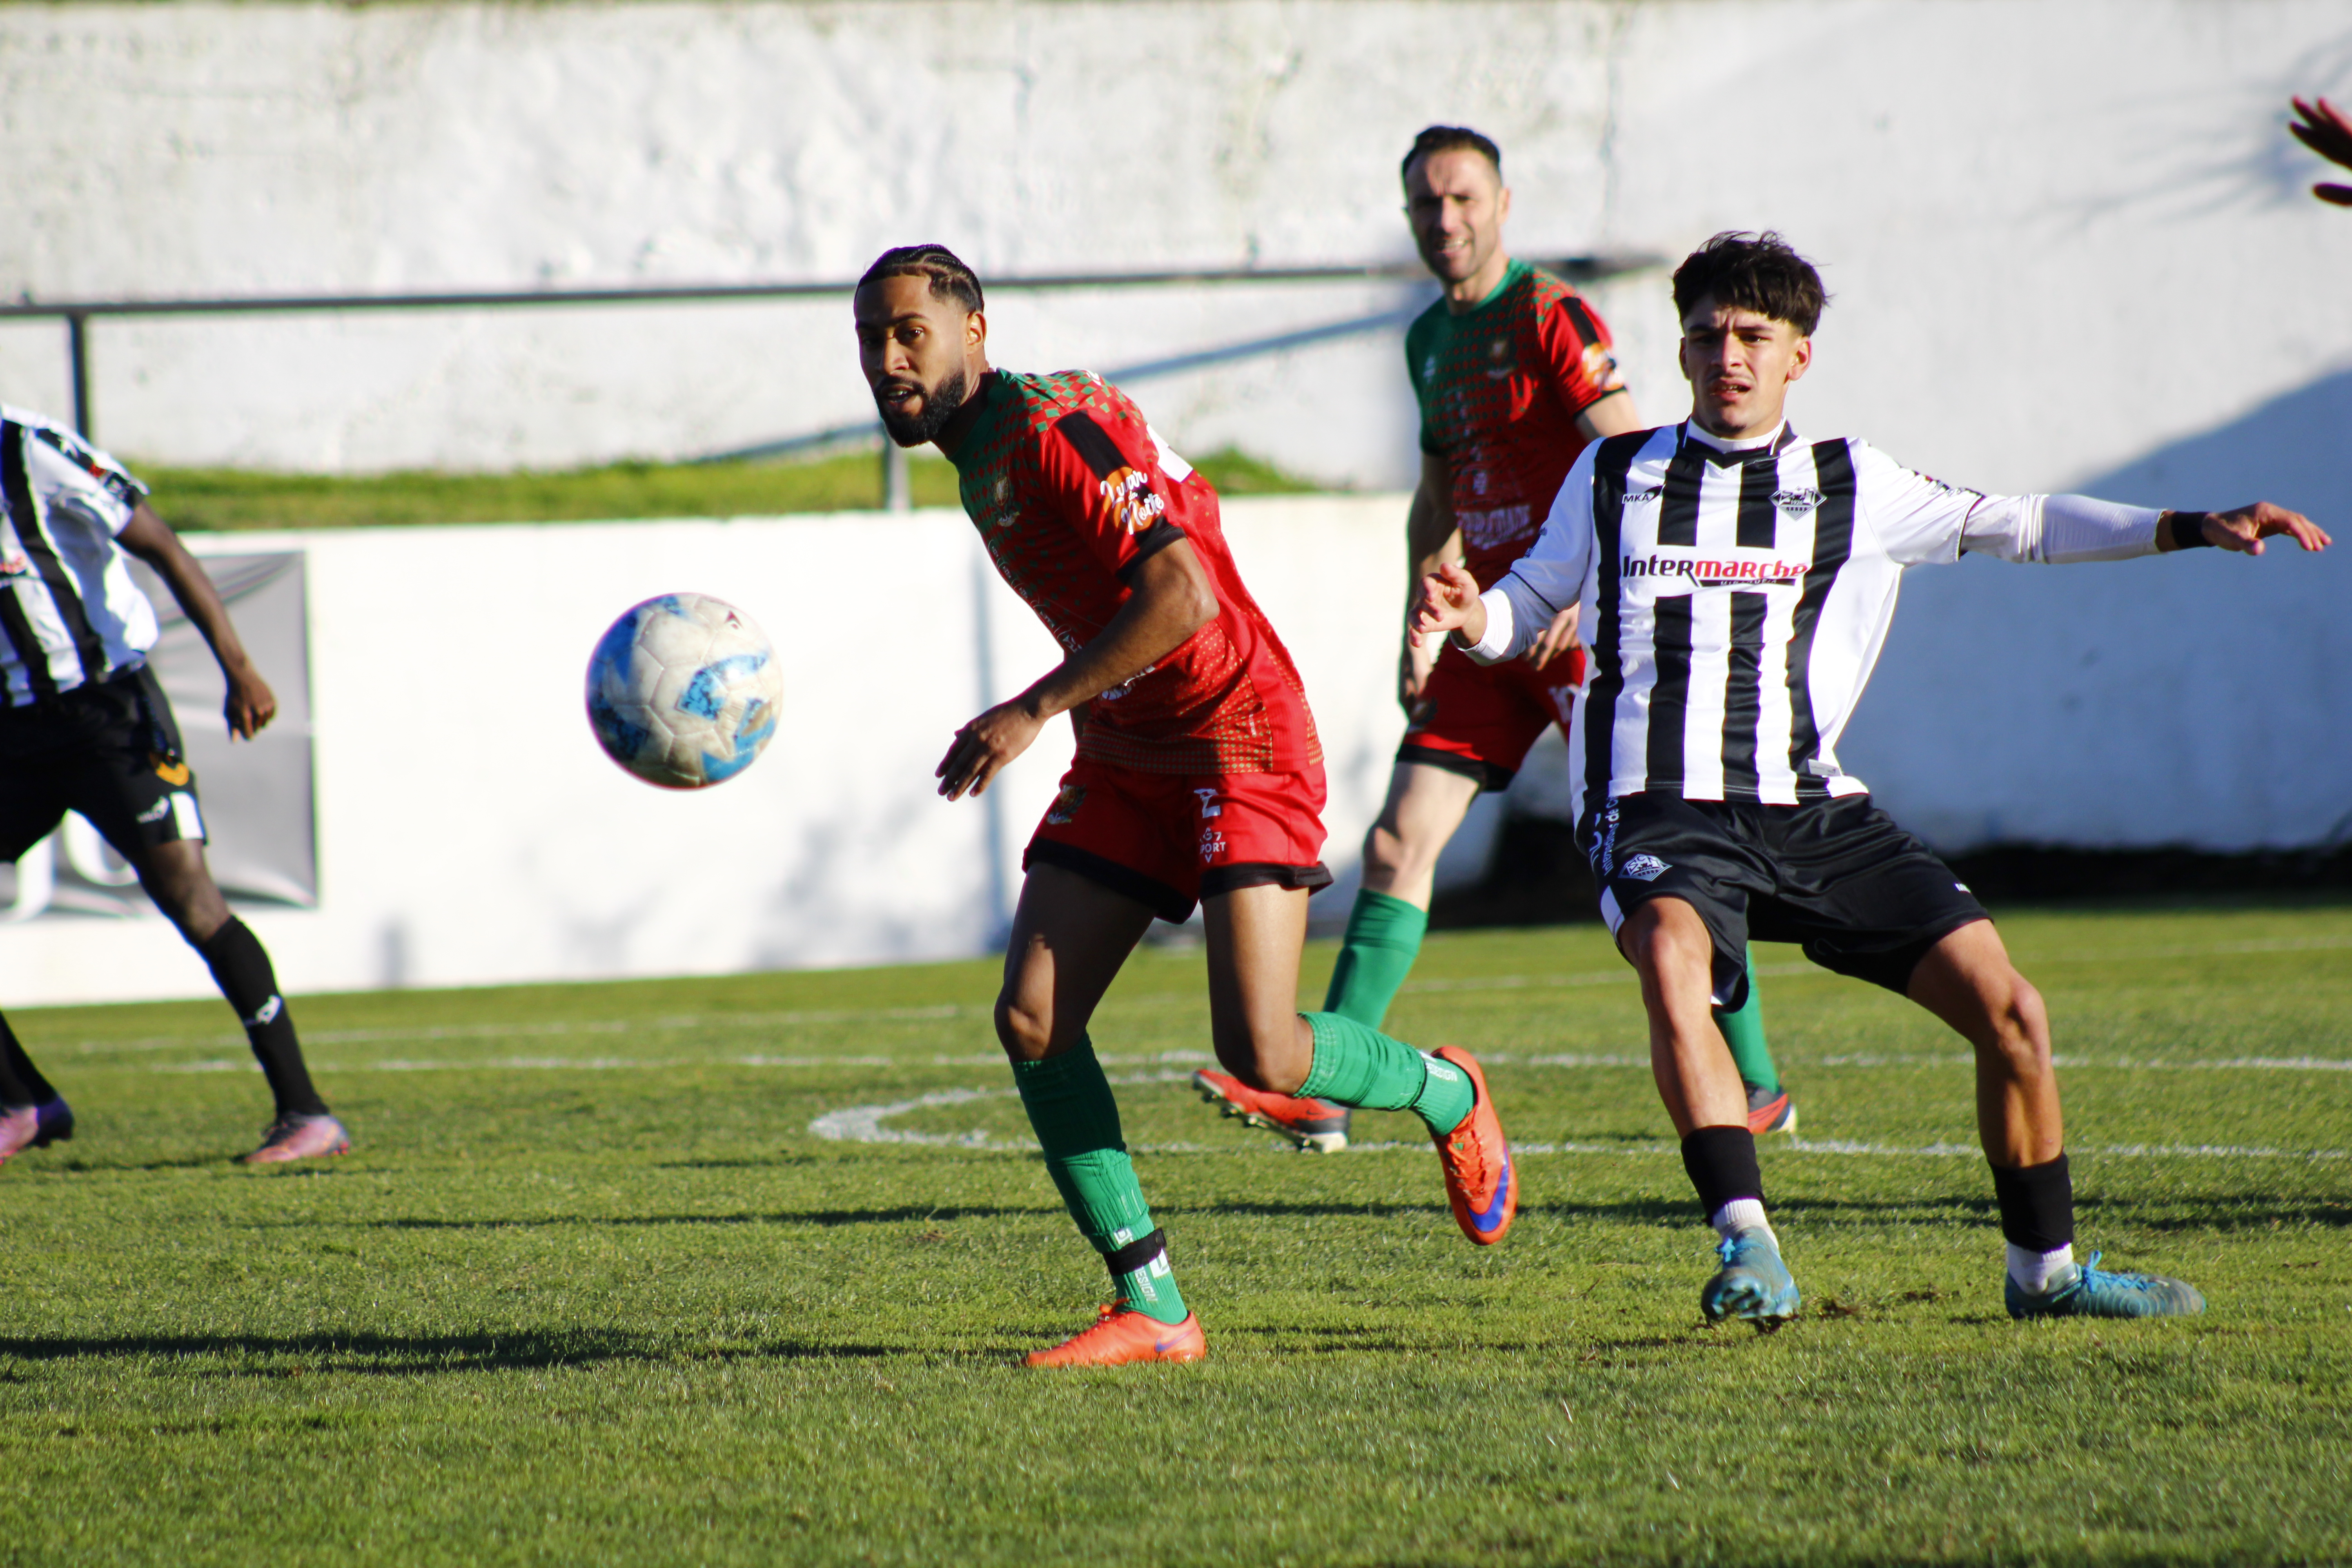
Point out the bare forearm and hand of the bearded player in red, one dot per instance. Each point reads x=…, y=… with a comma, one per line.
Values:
x=1170, y=601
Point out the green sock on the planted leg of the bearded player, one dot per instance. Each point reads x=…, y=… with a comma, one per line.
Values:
x=1078, y=1127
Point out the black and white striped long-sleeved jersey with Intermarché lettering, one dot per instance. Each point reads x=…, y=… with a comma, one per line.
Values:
x=1737, y=596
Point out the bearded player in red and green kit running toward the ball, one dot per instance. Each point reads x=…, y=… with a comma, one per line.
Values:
x=1198, y=779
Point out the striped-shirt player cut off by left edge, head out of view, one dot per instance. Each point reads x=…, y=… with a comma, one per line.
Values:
x=86, y=728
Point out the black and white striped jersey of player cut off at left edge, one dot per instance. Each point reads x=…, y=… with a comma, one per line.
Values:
x=69, y=608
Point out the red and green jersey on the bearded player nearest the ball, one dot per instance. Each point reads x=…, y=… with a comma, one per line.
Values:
x=1071, y=492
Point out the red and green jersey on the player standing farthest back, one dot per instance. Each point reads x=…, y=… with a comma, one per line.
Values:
x=1499, y=396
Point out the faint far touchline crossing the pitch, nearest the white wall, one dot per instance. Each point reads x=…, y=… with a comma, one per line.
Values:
x=928, y=1014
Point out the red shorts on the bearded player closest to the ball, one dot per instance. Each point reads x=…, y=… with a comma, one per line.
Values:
x=1170, y=840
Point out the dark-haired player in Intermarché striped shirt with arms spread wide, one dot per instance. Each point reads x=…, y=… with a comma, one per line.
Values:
x=1737, y=584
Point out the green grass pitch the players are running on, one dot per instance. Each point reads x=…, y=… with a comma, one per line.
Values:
x=737, y=1271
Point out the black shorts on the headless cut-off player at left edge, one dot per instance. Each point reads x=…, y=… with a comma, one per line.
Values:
x=107, y=751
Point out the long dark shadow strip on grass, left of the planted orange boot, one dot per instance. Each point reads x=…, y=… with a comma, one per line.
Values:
x=420, y=1355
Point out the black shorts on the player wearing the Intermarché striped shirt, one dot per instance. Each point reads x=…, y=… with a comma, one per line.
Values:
x=1838, y=876
